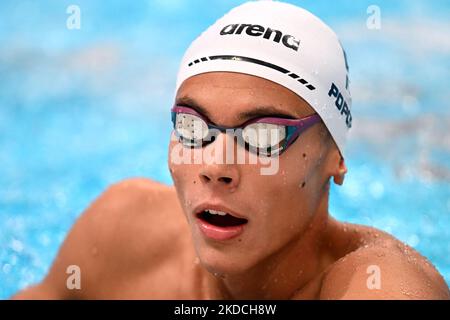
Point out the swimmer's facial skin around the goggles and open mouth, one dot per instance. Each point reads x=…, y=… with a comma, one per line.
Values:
x=278, y=207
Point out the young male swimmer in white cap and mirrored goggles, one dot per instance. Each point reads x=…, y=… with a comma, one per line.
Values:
x=278, y=75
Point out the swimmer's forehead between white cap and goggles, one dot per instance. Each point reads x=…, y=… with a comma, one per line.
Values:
x=237, y=92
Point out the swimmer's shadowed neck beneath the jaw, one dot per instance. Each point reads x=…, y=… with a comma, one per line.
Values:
x=284, y=273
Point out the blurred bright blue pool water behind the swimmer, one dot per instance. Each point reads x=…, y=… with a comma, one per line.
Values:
x=81, y=109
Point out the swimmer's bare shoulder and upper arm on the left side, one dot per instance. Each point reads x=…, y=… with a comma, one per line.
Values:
x=118, y=237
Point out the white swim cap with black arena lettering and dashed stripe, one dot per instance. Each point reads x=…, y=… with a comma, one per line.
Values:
x=282, y=43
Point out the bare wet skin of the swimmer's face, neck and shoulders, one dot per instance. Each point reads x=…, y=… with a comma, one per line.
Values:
x=140, y=239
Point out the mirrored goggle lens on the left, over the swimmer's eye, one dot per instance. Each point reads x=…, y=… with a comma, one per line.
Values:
x=191, y=129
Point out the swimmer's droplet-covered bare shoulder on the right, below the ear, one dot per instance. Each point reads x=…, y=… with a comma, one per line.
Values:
x=382, y=267
